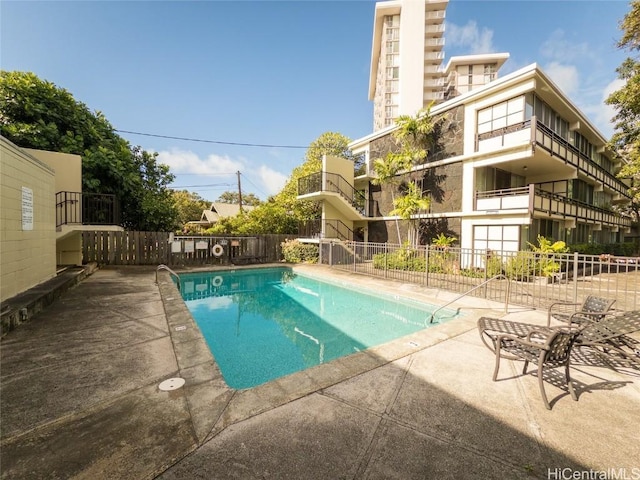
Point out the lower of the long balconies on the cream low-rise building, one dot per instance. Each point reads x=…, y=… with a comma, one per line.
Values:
x=556, y=206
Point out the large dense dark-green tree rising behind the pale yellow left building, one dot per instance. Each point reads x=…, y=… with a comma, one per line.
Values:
x=35, y=113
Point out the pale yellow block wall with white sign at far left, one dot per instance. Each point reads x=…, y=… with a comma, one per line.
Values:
x=27, y=257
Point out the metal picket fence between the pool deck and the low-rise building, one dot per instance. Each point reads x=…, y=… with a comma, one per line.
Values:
x=532, y=279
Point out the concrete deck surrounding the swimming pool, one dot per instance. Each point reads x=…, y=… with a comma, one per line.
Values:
x=79, y=398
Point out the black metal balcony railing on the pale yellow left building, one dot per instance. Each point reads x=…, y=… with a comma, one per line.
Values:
x=86, y=209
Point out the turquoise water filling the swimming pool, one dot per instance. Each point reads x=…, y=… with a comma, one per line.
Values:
x=265, y=323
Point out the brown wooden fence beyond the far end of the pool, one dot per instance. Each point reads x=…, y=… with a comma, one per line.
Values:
x=154, y=248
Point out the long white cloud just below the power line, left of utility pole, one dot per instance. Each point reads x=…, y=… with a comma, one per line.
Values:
x=185, y=161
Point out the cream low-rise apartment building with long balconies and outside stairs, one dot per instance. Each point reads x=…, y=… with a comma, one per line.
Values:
x=514, y=158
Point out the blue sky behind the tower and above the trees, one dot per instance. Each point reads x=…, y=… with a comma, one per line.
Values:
x=276, y=72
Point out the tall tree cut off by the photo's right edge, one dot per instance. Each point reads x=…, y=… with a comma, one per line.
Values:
x=626, y=100
